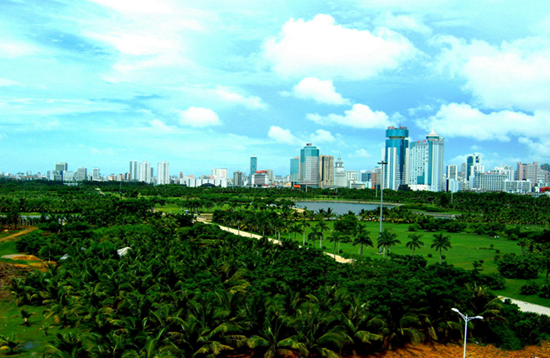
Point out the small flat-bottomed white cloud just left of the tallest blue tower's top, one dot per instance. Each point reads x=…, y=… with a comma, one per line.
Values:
x=359, y=116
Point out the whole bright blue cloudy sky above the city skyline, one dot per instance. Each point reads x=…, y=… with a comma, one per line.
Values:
x=206, y=84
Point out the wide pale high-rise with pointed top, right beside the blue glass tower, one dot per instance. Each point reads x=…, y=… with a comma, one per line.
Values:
x=426, y=164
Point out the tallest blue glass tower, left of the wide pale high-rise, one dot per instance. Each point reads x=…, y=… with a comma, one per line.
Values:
x=395, y=155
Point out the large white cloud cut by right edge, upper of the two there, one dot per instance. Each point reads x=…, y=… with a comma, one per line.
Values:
x=514, y=75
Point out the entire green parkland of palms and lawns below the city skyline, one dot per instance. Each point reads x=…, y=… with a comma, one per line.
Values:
x=136, y=270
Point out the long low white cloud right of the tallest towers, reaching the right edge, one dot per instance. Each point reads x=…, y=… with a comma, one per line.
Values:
x=462, y=120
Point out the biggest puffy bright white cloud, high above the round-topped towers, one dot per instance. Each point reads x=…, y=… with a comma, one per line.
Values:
x=320, y=48
